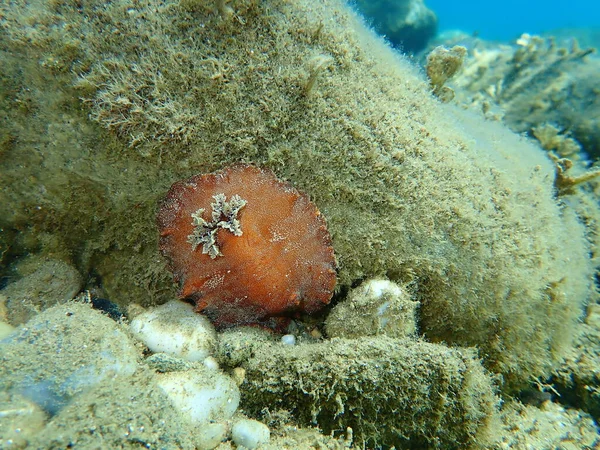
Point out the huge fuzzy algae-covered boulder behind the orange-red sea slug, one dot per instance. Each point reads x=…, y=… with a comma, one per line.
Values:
x=424, y=194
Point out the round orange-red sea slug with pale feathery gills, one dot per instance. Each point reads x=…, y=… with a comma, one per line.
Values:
x=246, y=247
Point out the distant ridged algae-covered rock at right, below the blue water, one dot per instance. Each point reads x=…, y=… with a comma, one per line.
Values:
x=536, y=84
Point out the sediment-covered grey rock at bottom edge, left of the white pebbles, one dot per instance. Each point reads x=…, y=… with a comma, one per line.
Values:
x=128, y=413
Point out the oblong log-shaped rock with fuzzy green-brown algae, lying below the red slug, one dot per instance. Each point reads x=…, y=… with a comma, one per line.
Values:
x=389, y=391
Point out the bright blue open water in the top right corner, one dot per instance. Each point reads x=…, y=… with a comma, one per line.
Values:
x=506, y=20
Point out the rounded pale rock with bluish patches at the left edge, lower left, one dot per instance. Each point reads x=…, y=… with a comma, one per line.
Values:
x=62, y=353
